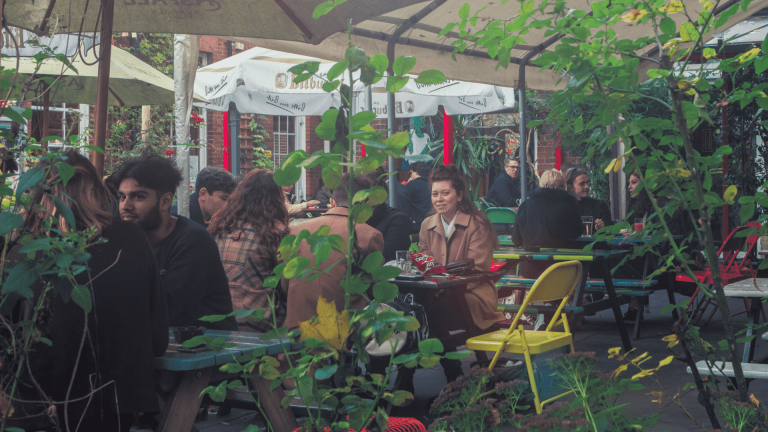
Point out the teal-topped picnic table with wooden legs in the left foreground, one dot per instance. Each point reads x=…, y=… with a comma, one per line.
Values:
x=181, y=376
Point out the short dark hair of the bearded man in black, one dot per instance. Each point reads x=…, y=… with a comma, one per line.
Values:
x=151, y=171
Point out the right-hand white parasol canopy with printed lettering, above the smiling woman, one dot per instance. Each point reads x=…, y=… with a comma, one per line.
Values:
x=456, y=97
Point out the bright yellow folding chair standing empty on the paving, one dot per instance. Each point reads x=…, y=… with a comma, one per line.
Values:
x=556, y=283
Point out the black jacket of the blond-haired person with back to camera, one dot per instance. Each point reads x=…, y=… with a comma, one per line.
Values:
x=548, y=218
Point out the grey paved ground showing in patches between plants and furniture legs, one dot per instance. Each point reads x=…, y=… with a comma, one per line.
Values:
x=597, y=334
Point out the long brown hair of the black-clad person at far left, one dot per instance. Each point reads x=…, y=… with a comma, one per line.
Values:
x=85, y=194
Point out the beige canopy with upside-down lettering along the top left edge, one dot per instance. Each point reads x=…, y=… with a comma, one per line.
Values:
x=272, y=19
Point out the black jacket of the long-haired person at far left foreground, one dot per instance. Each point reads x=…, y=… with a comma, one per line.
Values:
x=128, y=326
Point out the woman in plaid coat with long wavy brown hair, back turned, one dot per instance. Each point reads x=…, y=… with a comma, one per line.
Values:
x=248, y=231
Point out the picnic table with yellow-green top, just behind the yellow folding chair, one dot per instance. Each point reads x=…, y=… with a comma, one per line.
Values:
x=599, y=257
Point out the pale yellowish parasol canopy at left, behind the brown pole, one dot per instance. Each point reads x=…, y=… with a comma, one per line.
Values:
x=131, y=81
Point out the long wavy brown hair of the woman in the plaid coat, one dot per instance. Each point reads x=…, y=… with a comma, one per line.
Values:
x=256, y=201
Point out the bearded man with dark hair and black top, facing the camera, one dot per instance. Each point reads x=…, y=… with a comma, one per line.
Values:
x=190, y=267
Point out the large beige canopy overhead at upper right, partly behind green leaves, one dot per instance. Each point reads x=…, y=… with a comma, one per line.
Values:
x=474, y=64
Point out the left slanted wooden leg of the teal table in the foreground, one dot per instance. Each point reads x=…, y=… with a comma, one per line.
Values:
x=181, y=406
